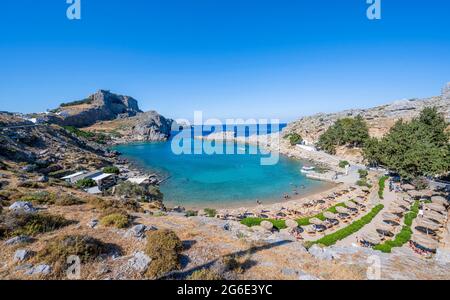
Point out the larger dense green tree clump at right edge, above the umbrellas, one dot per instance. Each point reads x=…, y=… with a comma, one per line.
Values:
x=418, y=148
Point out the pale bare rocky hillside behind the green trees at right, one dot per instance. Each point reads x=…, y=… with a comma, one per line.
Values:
x=380, y=119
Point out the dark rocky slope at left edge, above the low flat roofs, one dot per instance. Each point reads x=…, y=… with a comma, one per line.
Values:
x=45, y=148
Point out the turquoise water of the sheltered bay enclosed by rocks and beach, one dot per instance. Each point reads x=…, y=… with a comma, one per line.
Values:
x=201, y=180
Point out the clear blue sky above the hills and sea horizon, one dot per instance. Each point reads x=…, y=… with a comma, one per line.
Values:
x=229, y=58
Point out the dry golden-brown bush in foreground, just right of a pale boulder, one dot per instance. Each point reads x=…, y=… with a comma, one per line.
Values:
x=164, y=248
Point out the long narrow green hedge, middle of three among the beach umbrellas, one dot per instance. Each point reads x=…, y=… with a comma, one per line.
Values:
x=332, y=238
